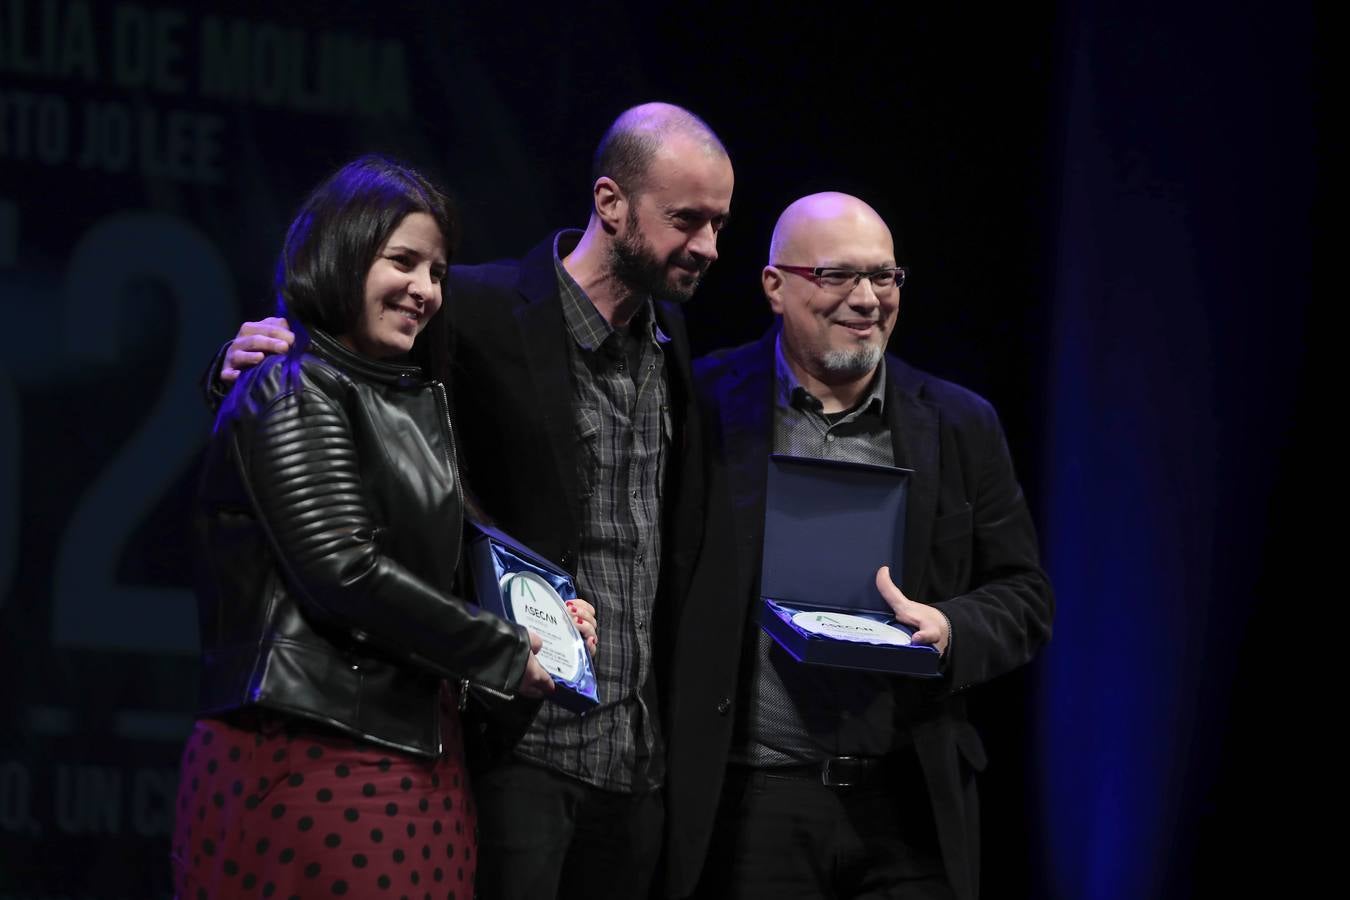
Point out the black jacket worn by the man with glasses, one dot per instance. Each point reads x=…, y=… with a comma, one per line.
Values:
x=970, y=549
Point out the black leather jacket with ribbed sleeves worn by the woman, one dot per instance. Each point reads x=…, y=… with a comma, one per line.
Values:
x=331, y=517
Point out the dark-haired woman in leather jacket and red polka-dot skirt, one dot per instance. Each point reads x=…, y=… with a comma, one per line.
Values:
x=329, y=756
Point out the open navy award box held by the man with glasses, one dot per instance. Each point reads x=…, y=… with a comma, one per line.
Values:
x=828, y=528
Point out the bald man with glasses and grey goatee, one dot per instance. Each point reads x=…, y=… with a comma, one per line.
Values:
x=793, y=781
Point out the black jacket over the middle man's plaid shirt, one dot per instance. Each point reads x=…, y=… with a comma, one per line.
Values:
x=512, y=396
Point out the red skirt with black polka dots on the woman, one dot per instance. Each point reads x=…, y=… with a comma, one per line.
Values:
x=288, y=810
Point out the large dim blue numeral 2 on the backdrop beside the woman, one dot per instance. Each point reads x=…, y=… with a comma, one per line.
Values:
x=90, y=608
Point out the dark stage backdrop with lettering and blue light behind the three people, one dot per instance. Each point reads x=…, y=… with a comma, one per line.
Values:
x=1109, y=210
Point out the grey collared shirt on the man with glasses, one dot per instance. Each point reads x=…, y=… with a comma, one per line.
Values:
x=807, y=713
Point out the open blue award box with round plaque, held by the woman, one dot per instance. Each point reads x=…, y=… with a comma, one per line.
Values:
x=526, y=589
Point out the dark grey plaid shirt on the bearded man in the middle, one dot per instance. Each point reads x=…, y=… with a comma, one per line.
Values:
x=623, y=431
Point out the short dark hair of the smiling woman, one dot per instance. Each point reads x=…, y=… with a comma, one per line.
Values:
x=321, y=277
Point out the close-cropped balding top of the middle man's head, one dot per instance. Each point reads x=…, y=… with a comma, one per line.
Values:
x=628, y=149
